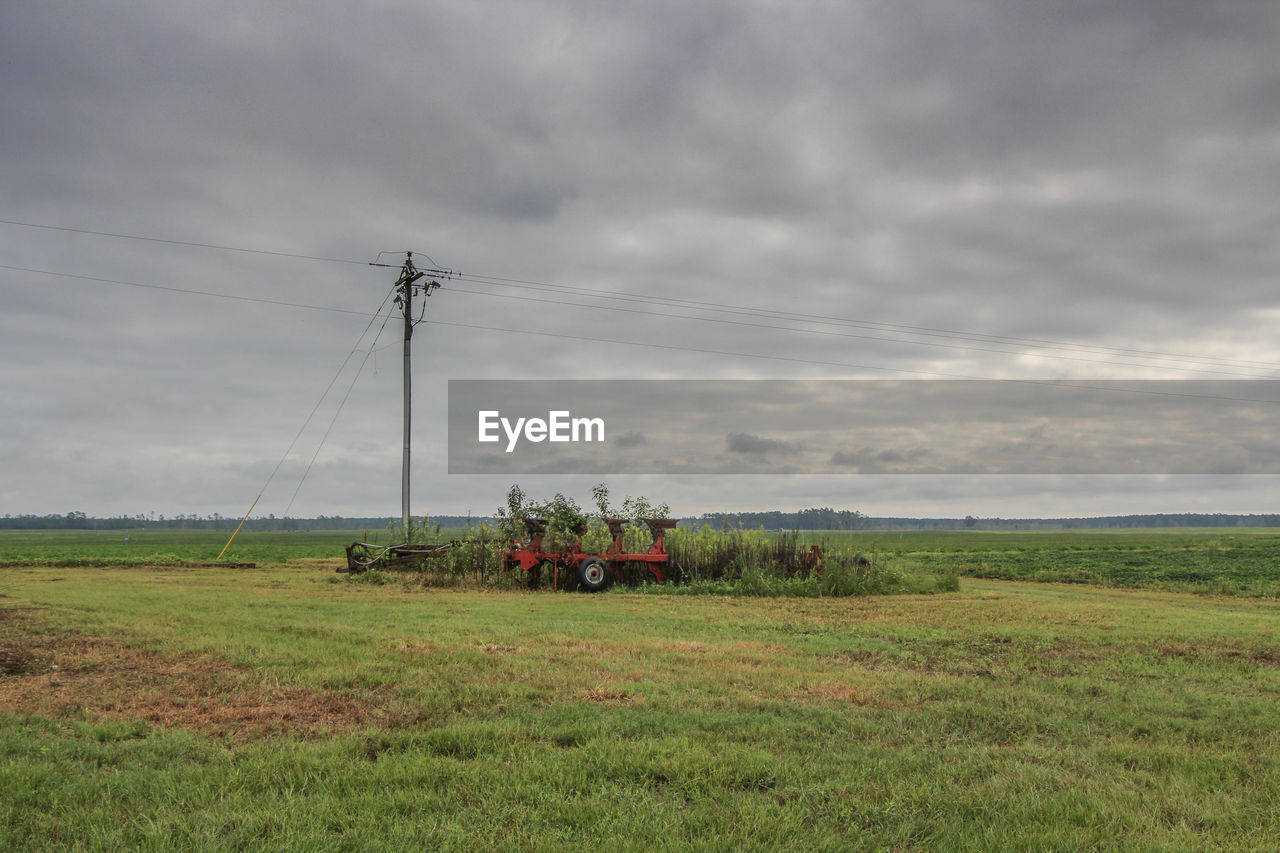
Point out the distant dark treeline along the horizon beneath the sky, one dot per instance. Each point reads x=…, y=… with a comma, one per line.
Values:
x=813, y=519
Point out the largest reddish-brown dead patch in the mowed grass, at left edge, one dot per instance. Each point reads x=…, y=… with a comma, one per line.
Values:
x=56, y=673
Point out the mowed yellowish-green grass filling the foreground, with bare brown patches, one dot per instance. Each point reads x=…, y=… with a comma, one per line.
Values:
x=287, y=709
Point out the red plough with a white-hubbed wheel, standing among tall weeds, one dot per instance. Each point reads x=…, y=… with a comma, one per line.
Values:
x=595, y=572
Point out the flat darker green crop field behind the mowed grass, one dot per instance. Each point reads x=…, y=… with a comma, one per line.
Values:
x=1244, y=562
